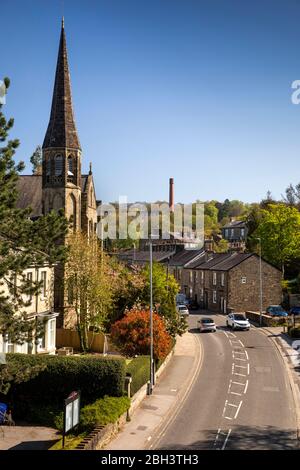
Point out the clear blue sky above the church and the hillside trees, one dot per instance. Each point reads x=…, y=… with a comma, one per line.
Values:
x=191, y=89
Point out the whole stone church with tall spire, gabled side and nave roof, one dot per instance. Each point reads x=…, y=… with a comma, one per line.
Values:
x=60, y=183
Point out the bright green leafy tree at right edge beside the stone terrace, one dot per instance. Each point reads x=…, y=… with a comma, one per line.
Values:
x=279, y=230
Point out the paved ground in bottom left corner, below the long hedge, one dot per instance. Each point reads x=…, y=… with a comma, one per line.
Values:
x=27, y=437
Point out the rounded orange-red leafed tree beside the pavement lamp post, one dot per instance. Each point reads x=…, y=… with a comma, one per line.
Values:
x=131, y=334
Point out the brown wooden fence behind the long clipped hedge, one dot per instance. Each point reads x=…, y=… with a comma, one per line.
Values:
x=70, y=338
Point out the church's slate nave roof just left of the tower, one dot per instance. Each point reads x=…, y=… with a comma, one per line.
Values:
x=30, y=193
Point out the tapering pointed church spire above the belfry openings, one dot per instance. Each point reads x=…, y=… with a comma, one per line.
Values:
x=61, y=132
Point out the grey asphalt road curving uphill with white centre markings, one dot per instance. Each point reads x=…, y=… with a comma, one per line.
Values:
x=241, y=398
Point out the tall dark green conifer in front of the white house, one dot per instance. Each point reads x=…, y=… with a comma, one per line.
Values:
x=23, y=242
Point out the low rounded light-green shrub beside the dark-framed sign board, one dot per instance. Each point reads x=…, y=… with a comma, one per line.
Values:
x=103, y=411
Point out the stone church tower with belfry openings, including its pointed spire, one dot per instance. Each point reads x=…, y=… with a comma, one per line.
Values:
x=61, y=184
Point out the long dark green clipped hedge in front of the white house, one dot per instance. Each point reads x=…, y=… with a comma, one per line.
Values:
x=94, y=376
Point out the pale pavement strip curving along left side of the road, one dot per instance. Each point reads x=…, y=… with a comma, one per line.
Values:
x=169, y=393
